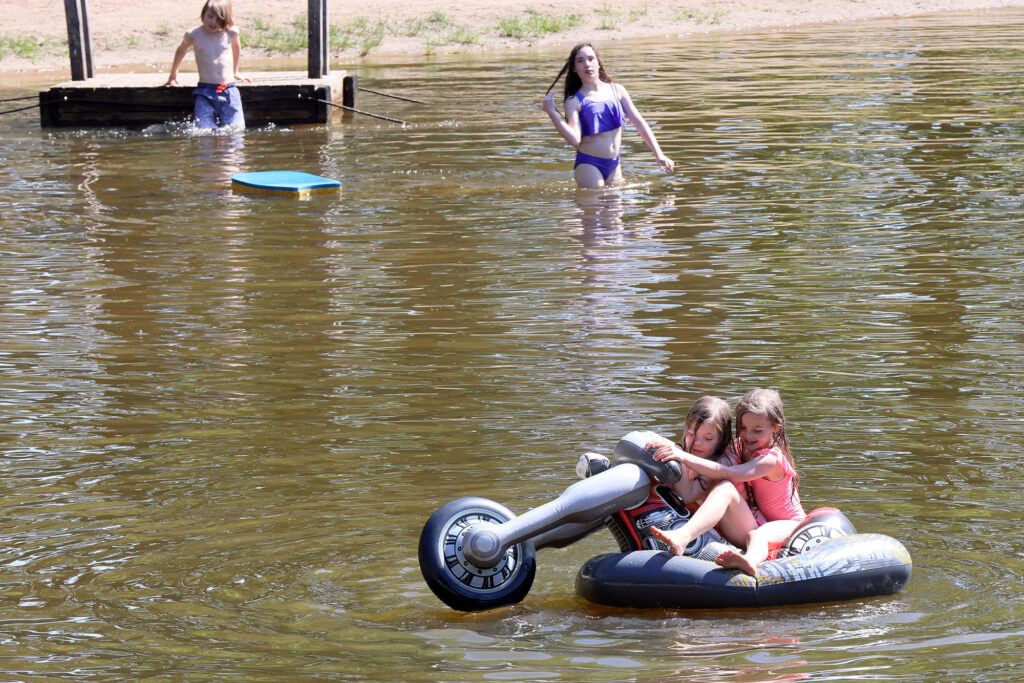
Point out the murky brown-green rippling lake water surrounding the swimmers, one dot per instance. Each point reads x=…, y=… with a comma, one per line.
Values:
x=226, y=418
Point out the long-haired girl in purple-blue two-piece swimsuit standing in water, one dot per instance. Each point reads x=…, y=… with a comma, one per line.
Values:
x=596, y=110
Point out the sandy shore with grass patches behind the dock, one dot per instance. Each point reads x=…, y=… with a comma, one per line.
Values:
x=145, y=33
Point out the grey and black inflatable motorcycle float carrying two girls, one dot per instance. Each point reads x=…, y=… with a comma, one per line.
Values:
x=476, y=554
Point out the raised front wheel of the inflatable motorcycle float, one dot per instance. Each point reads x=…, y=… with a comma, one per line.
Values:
x=454, y=579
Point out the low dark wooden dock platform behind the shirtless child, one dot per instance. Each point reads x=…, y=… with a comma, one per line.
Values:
x=141, y=100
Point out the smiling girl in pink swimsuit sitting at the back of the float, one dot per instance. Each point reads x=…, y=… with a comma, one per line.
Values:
x=756, y=504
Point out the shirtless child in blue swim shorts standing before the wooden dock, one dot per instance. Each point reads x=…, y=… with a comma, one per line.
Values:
x=218, y=51
